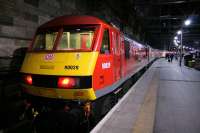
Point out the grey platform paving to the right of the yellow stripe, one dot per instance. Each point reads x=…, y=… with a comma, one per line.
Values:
x=178, y=100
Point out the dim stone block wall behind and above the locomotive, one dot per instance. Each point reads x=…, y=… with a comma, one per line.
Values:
x=20, y=18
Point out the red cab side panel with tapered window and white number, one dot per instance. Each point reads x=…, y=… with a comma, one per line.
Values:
x=103, y=74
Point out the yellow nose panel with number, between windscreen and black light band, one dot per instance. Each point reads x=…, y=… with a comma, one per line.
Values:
x=66, y=64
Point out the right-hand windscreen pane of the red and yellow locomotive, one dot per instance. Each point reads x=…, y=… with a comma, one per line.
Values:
x=76, y=38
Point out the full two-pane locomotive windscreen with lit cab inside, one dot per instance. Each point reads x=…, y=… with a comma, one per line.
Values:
x=72, y=38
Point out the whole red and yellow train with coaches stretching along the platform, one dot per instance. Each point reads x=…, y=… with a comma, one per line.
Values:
x=79, y=64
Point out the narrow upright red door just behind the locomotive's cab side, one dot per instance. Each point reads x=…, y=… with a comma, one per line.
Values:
x=116, y=53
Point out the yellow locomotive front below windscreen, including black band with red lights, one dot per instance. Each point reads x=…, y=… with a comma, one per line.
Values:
x=59, y=75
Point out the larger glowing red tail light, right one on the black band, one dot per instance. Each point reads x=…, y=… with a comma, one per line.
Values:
x=66, y=82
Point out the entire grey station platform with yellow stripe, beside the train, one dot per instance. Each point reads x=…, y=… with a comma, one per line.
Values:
x=166, y=99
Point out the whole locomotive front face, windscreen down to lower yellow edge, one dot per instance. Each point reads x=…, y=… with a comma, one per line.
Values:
x=60, y=64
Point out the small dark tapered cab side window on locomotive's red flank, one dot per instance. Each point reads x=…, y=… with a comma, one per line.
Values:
x=105, y=46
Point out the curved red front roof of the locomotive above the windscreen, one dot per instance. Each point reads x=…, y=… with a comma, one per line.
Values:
x=73, y=20
